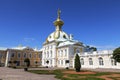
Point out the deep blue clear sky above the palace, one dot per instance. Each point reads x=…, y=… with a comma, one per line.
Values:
x=29, y=22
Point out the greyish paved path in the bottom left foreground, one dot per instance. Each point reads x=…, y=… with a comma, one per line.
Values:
x=20, y=74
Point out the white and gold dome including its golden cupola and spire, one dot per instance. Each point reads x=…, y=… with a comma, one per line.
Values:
x=58, y=34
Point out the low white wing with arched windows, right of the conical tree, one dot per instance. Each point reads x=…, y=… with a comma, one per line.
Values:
x=99, y=59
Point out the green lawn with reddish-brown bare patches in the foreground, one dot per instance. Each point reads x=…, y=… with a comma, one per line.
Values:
x=64, y=76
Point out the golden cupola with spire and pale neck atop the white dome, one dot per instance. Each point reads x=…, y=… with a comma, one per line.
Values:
x=58, y=23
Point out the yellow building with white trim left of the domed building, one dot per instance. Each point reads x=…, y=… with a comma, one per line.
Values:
x=19, y=54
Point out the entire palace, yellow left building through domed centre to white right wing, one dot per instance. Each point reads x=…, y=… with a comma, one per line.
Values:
x=59, y=50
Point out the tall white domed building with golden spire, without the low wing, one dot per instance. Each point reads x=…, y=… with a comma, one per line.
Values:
x=60, y=47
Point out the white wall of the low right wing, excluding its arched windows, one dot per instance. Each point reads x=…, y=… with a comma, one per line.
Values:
x=95, y=57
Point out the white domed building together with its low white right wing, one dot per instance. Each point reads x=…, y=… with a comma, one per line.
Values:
x=59, y=50
